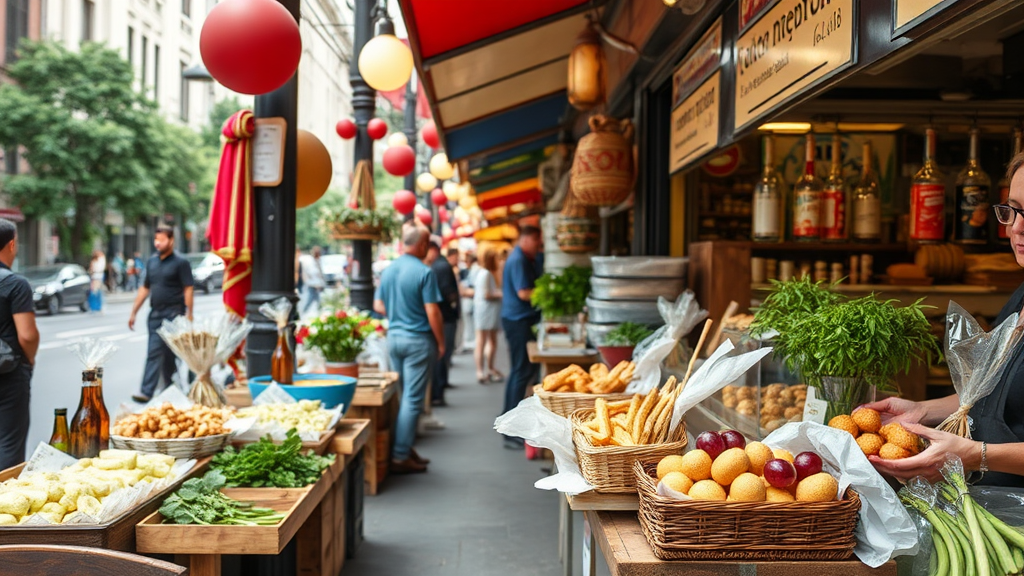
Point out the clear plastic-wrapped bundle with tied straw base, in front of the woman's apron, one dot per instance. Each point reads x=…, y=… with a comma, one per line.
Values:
x=976, y=361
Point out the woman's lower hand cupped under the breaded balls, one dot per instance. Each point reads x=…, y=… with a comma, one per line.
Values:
x=929, y=463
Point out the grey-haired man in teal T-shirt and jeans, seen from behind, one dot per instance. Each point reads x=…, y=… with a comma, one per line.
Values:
x=410, y=298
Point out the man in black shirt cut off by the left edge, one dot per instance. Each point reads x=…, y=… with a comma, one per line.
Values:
x=18, y=330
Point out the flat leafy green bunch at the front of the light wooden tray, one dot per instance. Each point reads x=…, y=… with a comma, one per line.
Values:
x=200, y=502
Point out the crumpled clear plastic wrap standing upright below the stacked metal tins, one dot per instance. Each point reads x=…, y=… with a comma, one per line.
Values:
x=680, y=318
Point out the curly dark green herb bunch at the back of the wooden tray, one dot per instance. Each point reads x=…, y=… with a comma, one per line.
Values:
x=268, y=465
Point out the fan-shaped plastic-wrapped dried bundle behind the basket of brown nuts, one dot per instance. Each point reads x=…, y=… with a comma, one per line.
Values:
x=202, y=345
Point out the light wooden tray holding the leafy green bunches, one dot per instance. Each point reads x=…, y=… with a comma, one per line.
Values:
x=297, y=504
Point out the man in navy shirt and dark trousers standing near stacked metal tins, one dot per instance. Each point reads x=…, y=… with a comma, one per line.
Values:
x=519, y=318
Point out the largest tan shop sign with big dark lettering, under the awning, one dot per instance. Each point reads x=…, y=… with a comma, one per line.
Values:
x=794, y=47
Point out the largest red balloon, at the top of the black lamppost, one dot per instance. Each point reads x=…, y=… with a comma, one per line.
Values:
x=251, y=47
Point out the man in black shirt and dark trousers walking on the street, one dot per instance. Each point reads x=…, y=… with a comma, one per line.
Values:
x=169, y=285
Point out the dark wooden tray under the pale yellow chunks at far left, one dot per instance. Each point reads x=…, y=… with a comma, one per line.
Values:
x=118, y=534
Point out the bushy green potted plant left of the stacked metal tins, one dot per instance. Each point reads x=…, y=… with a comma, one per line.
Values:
x=562, y=298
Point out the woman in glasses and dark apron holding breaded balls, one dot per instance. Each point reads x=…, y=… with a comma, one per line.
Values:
x=993, y=456
